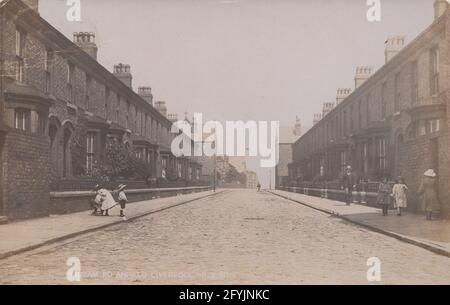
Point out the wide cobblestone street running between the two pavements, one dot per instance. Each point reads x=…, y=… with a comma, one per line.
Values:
x=235, y=237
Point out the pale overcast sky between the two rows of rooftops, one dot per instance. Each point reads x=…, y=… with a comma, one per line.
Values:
x=243, y=59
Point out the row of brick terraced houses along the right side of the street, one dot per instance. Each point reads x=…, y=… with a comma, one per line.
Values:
x=395, y=122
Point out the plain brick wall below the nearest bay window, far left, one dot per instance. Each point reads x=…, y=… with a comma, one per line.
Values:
x=26, y=164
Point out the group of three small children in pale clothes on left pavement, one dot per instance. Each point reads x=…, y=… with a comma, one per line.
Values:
x=104, y=200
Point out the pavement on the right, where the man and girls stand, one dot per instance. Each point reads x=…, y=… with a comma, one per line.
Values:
x=412, y=228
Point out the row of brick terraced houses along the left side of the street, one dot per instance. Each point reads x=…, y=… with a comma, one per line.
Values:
x=58, y=103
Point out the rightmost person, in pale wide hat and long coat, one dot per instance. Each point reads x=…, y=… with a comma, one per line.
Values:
x=428, y=191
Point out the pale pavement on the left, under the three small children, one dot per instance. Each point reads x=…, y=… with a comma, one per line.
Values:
x=26, y=235
